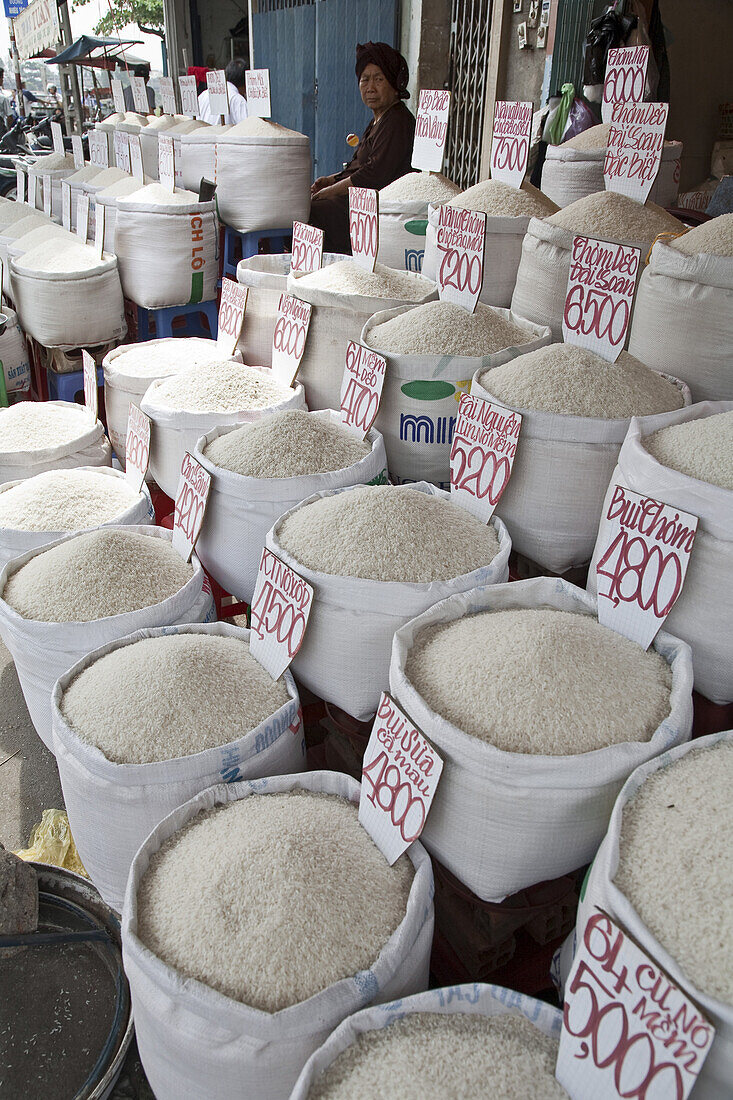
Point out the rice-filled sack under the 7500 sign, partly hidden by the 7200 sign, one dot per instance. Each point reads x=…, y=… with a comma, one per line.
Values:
x=509, y=212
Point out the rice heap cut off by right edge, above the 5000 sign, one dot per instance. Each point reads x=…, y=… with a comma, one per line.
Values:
x=676, y=864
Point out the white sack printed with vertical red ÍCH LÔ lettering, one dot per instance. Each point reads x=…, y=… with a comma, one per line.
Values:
x=168, y=256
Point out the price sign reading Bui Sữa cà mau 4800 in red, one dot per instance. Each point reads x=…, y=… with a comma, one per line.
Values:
x=399, y=779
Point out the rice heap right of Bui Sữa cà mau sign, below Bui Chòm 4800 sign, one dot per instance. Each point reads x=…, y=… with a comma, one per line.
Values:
x=545, y=683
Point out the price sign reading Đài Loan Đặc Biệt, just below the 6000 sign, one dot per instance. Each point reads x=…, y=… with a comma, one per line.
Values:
x=634, y=151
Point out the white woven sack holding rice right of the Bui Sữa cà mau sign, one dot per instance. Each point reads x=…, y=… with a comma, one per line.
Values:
x=502, y=821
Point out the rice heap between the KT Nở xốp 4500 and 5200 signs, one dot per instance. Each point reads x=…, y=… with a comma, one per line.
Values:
x=388, y=533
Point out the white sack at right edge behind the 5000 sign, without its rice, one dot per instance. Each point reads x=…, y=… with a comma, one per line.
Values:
x=715, y=1080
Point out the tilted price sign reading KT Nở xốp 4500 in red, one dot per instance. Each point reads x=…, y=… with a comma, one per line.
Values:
x=281, y=607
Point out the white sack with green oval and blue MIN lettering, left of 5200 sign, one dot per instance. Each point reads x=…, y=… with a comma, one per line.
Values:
x=420, y=400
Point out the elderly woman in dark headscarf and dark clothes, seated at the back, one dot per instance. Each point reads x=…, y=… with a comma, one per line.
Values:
x=386, y=149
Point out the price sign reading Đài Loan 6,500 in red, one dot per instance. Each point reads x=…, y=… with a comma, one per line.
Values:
x=600, y=294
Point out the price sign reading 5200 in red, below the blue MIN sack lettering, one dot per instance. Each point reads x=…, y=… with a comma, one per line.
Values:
x=483, y=455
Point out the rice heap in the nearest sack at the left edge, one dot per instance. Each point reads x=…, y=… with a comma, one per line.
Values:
x=96, y=575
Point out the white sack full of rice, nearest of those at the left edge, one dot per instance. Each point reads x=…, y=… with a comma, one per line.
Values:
x=63, y=600
